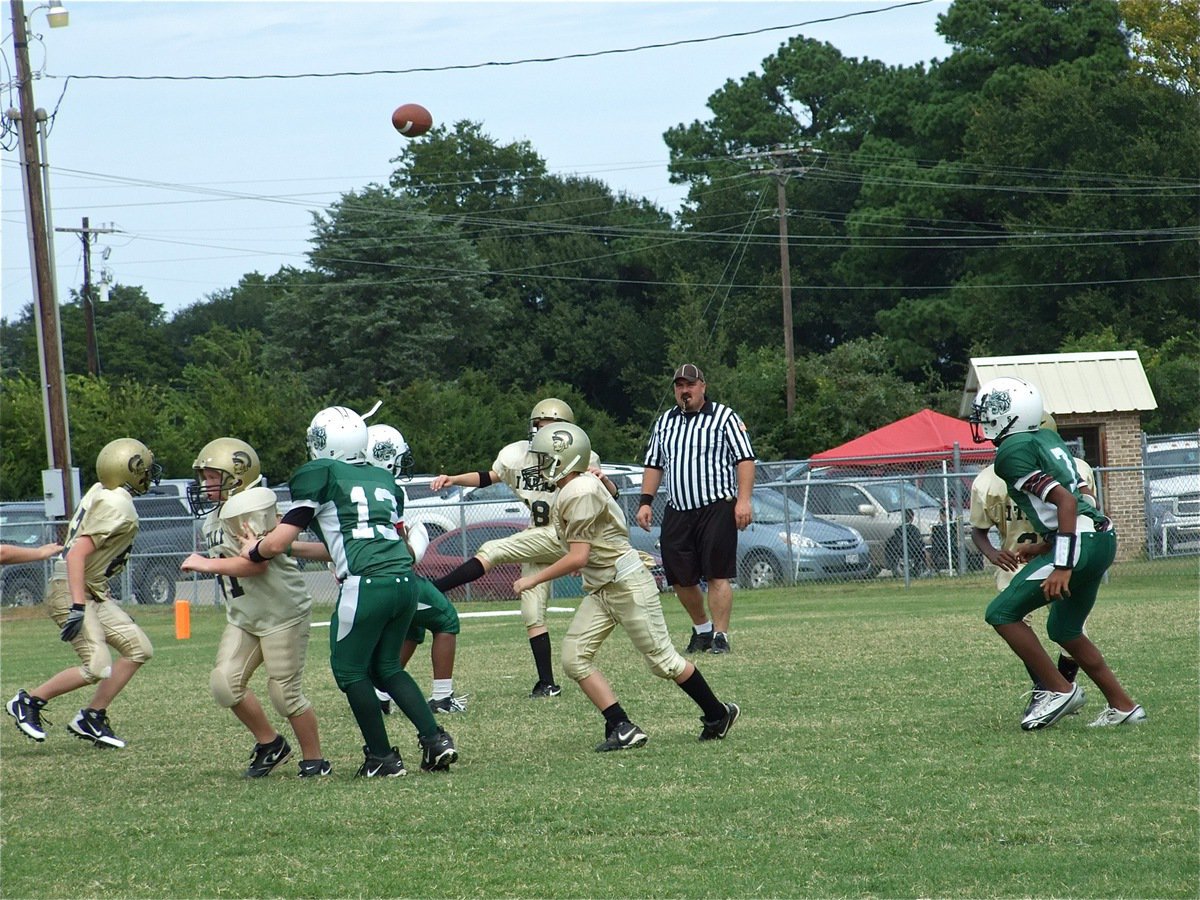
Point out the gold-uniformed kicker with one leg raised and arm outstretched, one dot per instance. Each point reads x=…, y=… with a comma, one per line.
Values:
x=537, y=547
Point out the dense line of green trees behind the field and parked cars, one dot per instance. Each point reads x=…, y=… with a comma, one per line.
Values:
x=1034, y=193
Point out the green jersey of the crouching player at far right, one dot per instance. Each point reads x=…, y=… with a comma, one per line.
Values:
x=1033, y=464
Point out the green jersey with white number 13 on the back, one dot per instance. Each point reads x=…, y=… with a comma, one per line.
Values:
x=357, y=509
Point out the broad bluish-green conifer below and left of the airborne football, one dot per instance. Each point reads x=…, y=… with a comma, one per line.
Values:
x=398, y=295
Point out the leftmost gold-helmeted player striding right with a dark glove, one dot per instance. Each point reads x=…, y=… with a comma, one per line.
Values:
x=81, y=603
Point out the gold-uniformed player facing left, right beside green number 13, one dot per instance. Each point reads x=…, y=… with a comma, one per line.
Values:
x=268, y=608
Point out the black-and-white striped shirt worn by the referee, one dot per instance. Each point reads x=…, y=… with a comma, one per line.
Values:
x=699, y=454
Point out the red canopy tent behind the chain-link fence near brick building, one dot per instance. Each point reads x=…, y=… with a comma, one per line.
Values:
x=921, y=437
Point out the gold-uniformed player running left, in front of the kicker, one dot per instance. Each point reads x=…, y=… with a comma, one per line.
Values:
x=620, y=592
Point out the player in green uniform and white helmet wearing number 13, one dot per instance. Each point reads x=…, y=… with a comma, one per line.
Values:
x=353, y=508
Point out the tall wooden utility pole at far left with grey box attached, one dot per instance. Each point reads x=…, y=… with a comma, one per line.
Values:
x=57, y=482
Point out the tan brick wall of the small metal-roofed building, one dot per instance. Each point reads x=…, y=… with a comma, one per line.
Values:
x=1123, y=493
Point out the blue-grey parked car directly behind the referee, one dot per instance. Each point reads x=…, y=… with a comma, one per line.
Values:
x=778, y=548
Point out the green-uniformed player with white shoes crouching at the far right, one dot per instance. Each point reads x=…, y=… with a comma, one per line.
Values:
x=1064, y=569
